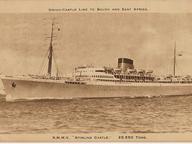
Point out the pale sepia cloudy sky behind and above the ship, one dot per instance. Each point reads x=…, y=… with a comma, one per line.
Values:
x=95, y=39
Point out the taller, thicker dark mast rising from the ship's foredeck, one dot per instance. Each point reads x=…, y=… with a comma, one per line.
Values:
x=50, y=56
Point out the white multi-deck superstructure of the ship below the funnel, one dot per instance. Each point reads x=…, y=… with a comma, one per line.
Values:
x=110, y=74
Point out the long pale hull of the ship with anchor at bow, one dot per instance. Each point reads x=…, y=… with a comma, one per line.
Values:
x=57, y=89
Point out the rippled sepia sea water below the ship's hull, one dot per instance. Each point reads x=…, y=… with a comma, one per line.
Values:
x=170, y=114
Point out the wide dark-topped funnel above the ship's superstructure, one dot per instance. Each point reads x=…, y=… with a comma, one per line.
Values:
x=125, y=63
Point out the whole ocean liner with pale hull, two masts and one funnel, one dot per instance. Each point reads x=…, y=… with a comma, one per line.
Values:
x=92, y=82
